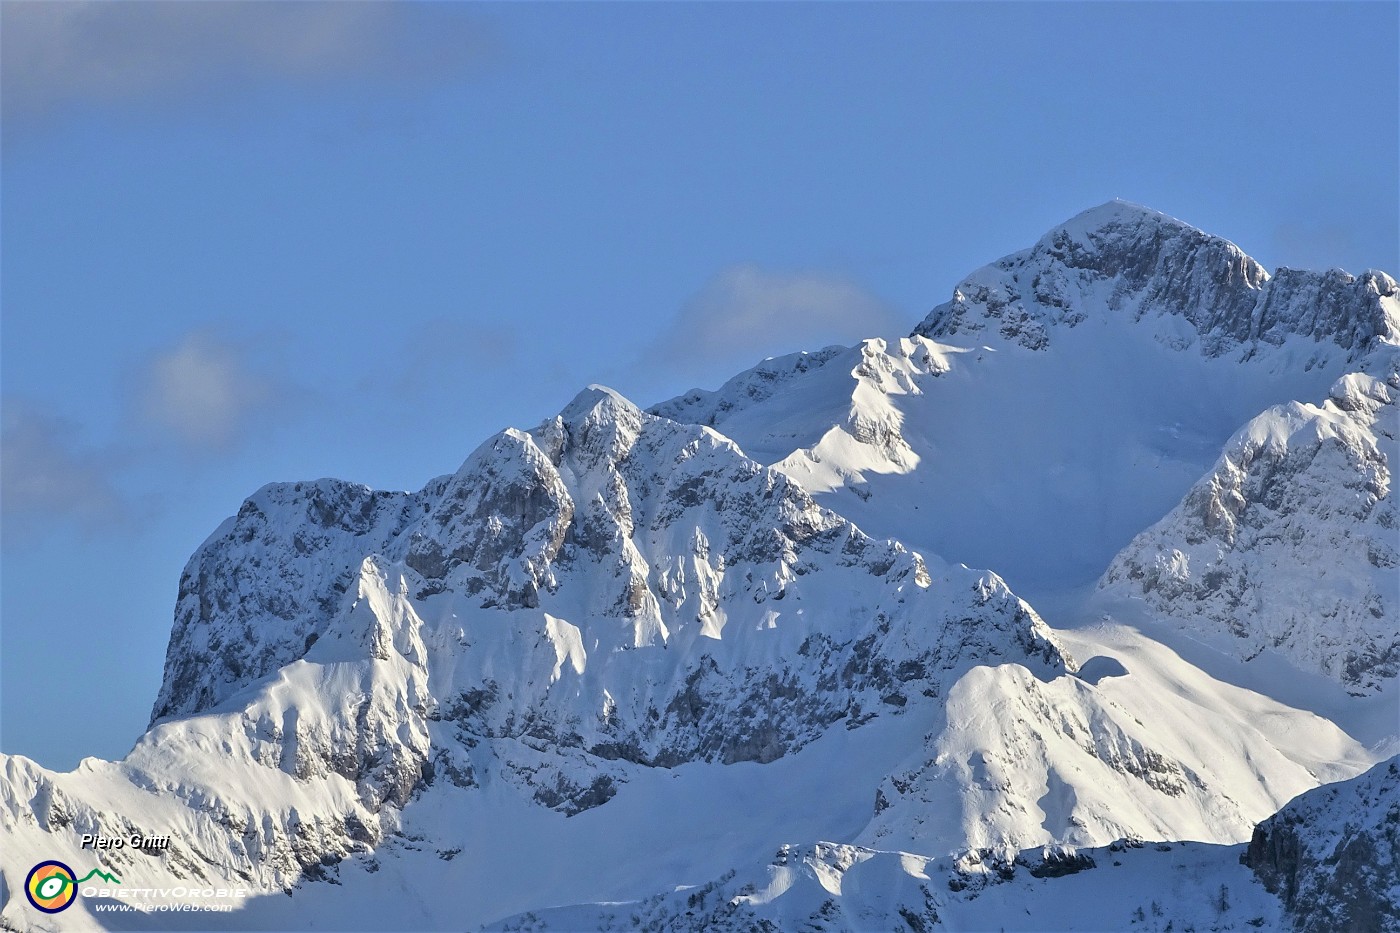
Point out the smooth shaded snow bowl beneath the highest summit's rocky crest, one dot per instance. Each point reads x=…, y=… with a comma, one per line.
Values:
x=1042, y=464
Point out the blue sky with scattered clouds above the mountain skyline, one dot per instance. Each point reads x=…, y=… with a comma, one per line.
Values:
x=251, y=243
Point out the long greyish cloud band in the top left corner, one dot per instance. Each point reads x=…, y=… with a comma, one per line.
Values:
x=64, y=53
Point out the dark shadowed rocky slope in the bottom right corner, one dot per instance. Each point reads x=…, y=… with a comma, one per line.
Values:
x=1333, y=855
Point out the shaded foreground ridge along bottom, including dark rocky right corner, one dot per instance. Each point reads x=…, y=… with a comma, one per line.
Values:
x=1329, y=855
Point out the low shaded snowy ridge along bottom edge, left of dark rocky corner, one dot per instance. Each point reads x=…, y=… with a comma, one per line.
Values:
x=834, y=887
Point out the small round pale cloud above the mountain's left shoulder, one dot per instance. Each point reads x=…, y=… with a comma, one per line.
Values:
x=204, y=393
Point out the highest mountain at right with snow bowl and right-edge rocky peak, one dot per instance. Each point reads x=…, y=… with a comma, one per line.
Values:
x=1123, y=369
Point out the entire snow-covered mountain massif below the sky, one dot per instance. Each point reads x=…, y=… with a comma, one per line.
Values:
x=629, y=651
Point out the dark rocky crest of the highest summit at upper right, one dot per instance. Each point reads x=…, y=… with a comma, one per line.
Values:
x=1186, y=285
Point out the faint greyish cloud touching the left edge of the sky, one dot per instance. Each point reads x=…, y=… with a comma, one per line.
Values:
x=47, y=476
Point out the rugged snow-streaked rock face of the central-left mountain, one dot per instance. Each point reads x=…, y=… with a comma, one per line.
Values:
x=601, y=534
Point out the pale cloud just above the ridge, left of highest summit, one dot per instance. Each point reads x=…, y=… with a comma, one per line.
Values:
x=747, y=313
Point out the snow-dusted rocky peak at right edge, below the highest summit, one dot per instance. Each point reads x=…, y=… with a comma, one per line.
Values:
x=1291, y=541
